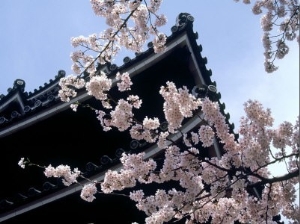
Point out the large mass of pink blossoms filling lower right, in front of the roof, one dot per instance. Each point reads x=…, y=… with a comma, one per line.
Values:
x=250, y=157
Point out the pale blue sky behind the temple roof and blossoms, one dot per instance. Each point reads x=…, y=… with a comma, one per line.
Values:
x=35, y=44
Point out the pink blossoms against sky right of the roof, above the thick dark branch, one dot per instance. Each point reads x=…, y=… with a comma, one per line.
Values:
x=256, y=137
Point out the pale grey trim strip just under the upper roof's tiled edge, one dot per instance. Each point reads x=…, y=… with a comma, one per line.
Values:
x=141, y=63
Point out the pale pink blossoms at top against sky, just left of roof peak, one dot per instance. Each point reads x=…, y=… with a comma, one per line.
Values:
x=130, y=25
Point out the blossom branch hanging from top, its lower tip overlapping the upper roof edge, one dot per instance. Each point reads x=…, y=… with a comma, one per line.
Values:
x=130, y=26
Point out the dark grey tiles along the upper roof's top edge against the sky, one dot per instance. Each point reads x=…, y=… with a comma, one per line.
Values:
x=18, y=105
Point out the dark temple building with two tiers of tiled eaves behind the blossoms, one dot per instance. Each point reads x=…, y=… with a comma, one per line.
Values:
x=38, y=126
